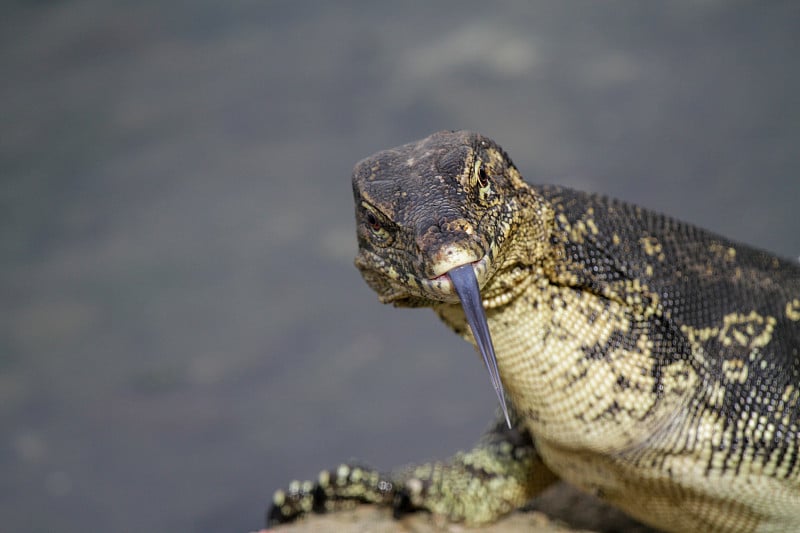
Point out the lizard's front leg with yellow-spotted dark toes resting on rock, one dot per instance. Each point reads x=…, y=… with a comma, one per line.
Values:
x=499, y=475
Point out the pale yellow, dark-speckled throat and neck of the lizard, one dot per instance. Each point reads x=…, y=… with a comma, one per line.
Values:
x=578, y=370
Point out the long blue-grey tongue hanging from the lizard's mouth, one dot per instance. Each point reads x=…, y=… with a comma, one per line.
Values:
x=466, y=285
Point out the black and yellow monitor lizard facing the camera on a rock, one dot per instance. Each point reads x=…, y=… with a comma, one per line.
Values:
x=644, y=360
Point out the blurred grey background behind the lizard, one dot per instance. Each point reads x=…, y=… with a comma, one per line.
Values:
x=182, y=330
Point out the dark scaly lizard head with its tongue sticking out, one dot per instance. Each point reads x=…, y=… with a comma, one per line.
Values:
x=438, y=219
